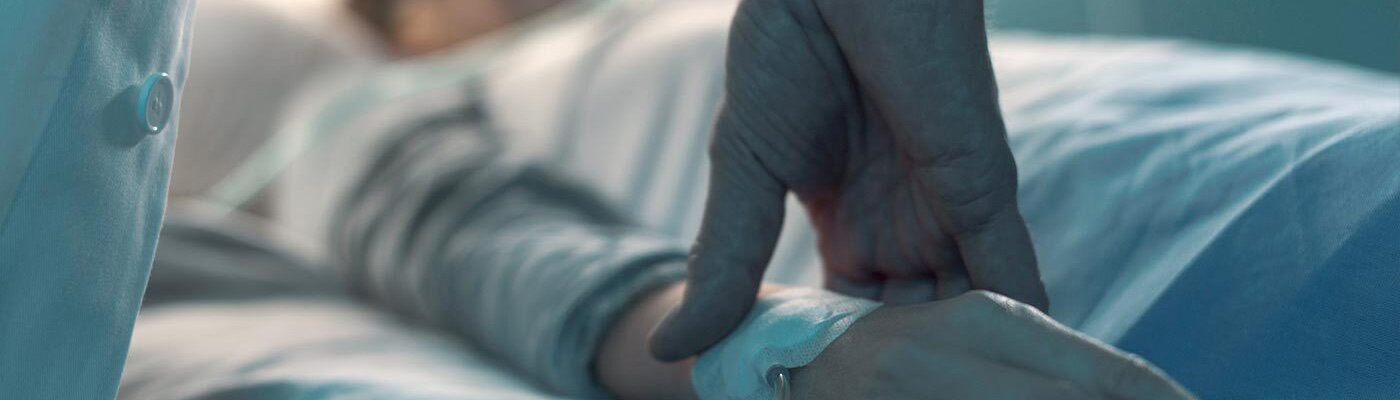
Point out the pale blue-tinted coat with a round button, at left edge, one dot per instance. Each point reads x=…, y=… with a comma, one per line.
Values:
x=89, y=104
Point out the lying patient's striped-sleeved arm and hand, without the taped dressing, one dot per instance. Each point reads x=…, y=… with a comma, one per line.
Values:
x=542, y=275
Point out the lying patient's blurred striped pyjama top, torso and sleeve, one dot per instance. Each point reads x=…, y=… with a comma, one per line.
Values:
x=465, y=203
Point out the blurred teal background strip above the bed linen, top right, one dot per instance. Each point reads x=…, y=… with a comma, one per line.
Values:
x=1363, y=33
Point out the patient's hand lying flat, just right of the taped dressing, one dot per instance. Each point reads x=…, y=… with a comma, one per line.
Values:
x=975, y=346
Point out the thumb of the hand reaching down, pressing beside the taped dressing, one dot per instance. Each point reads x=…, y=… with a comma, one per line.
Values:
x=743, y=222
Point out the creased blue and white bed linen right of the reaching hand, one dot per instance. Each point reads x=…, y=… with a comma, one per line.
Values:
x=1231, y=216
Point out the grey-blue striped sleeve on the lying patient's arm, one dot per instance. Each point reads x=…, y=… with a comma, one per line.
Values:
x=509, y=257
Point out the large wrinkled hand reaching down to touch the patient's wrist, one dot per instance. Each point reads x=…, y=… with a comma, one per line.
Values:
x=883, y=118
